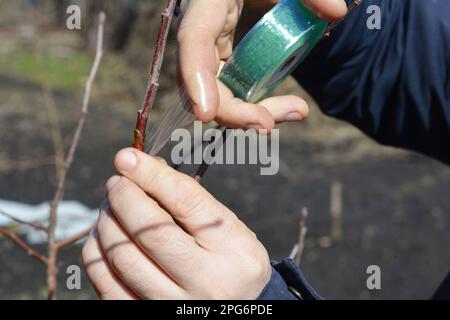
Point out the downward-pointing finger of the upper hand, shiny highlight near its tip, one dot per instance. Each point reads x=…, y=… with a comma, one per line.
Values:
x=205, y=36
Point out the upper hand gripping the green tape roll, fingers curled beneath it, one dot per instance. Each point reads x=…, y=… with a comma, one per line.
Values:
x=205, y=42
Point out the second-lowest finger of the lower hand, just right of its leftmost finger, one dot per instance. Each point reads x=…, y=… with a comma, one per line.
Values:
x=131, y=264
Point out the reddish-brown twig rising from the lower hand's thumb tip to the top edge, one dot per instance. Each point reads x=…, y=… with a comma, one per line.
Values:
x=153, y=84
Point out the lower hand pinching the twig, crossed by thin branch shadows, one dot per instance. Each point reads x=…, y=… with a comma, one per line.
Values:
x=164, y=236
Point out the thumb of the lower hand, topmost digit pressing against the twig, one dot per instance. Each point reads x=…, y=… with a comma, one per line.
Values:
x=194, y=209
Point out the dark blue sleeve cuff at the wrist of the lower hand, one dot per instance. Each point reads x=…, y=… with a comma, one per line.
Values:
x=288, y=283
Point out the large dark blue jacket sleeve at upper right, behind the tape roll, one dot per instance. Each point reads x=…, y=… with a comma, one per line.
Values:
x=392, y=83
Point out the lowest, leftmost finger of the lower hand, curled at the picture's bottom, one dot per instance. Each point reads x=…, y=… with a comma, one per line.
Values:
x=103, y=279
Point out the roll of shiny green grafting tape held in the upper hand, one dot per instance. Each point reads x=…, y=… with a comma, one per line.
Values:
x=272, y=50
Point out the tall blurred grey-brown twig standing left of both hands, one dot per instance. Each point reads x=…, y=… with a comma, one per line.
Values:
x=52, y=246
